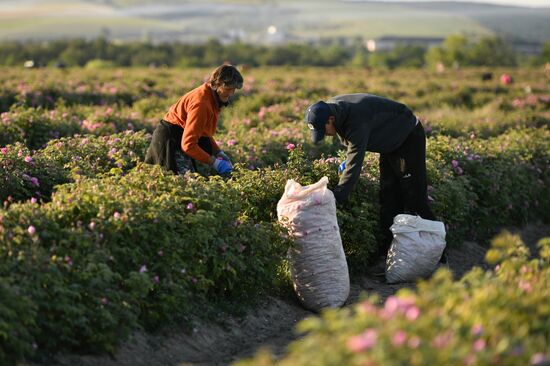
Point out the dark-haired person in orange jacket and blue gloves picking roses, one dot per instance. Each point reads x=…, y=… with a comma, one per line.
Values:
x=185, y=133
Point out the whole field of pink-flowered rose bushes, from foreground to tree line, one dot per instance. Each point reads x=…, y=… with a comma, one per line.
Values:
x=94, y=244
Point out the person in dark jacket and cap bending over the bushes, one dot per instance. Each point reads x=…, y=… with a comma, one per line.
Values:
x=366, y=122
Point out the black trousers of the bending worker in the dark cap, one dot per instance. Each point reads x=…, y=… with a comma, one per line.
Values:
x=403, y=183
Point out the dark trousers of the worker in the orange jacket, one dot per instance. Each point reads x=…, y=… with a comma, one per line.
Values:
x=165, y=149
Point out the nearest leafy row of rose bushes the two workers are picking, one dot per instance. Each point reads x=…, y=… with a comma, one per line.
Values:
x=101, y=256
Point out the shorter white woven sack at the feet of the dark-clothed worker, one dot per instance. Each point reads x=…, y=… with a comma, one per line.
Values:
x=416, y=248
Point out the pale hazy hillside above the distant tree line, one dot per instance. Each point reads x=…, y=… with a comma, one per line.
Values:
x=264, y=21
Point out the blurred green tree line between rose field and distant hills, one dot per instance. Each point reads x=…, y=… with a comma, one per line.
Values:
x=456, y=50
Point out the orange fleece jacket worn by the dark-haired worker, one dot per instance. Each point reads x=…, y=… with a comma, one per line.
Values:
x=197, y=113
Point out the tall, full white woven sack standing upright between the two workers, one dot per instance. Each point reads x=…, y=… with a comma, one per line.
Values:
x=317, y=262
